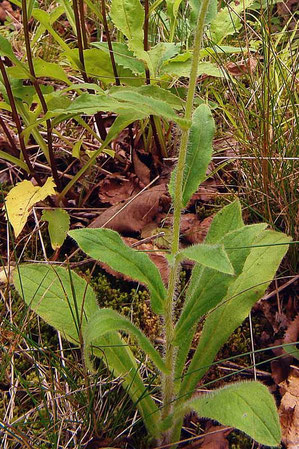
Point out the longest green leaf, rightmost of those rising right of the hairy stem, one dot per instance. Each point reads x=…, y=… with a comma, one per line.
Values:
x=258, y=271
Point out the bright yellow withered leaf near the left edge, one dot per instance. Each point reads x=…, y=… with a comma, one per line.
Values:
x=22, y=198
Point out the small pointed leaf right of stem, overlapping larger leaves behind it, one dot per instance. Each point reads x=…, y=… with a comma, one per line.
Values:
x=212, y=256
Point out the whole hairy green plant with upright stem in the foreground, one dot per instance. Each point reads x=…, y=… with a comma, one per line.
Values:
x=232, y=270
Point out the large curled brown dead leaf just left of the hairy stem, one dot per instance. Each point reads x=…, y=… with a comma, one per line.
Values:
x=134, y=214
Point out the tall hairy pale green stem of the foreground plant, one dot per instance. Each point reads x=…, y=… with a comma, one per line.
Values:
x=168, y=380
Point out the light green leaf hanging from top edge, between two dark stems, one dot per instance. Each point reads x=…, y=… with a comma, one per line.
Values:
x=128, y=17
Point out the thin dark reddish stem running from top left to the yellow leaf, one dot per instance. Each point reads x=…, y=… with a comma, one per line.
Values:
x=39, y=94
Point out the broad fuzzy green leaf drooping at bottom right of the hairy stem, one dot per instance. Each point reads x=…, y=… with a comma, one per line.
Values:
x=247, y=406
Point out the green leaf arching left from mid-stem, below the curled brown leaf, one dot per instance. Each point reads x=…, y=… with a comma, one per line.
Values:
x=107, y=246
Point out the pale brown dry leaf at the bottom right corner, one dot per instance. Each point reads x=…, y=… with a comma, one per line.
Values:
x=289, y=410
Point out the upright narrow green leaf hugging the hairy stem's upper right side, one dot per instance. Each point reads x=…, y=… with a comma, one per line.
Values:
x=198, y=154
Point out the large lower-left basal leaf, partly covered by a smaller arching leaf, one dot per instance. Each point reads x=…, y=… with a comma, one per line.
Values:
x=65, y=301
